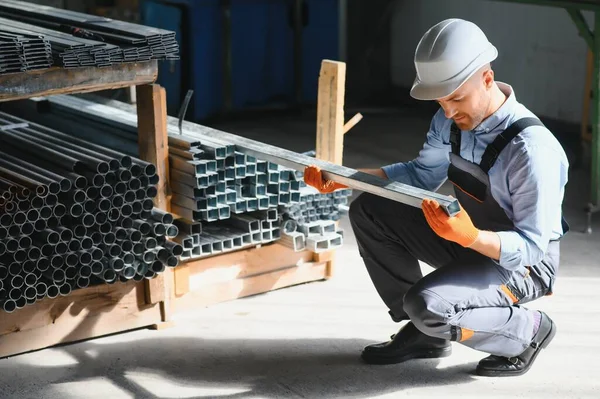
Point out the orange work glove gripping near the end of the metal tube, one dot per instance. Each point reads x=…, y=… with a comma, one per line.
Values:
x=459, y=228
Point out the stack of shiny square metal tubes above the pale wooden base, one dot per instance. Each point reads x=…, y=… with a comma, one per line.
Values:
x=212, y=182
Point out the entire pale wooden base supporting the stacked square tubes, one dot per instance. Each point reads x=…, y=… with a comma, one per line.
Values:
x=244, y=273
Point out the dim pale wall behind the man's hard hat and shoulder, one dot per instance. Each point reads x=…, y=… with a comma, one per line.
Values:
x=541, y=54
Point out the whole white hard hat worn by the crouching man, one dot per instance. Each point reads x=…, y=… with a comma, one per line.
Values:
x=447, y=56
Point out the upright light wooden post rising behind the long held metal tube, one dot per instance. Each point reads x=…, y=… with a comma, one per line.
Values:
x=330, y=112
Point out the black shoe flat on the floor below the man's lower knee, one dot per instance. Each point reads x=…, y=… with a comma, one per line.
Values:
x=408, y=343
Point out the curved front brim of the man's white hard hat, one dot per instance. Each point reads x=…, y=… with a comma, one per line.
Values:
x=428, y=92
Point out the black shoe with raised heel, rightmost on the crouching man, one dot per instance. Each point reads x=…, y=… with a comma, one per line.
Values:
x=499, y=366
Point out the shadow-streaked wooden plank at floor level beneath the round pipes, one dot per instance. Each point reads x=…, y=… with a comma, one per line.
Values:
x=85, y=313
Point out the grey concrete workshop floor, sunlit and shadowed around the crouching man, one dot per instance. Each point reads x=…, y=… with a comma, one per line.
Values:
x=305, y=341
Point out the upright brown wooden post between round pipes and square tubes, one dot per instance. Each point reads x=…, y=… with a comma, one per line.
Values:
x=153, y=146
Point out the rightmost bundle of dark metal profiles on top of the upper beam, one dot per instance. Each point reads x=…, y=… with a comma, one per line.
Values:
x=133, y=42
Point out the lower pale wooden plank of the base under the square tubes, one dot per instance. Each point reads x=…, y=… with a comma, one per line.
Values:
x=252, y=285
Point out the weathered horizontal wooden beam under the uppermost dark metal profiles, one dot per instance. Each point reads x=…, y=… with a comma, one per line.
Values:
x=51, y=81
